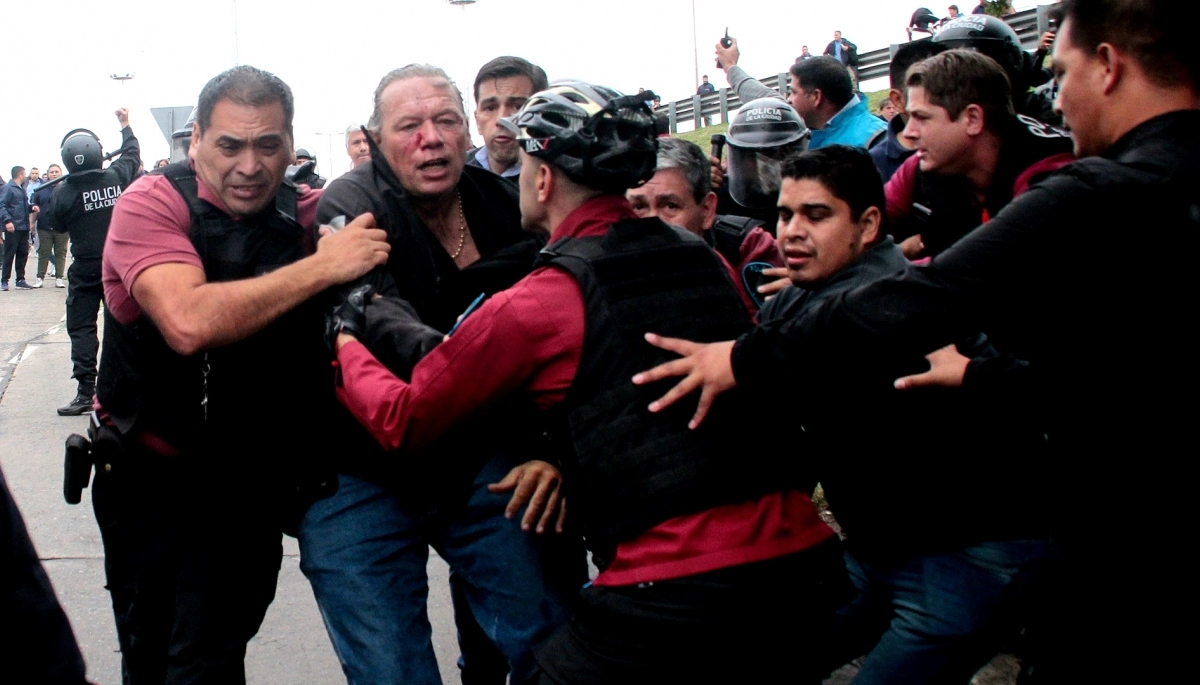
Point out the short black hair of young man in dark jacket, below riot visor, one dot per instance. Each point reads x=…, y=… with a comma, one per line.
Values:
x=848, y=172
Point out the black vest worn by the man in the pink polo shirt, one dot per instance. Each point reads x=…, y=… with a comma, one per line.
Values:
x=261, y=389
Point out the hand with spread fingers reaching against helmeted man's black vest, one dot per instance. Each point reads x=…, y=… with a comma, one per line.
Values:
x=705, y=366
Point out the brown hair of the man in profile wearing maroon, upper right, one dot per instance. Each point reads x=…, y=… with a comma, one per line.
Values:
x=958, y=79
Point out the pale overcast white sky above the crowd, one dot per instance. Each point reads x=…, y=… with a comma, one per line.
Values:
x=61, y=55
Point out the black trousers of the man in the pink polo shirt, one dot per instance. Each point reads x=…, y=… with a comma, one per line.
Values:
x=191, y=562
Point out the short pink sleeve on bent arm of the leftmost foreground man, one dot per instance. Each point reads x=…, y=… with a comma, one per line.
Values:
x=151, y=226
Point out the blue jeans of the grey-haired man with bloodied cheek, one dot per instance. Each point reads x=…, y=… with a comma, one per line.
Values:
x=367, y=562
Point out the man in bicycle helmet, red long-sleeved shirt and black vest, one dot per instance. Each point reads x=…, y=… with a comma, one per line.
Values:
x=701, y=543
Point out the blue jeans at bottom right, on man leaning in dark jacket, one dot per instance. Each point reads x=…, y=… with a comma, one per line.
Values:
x=939, y=618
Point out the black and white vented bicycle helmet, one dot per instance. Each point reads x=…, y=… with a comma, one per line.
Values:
x=598, y=137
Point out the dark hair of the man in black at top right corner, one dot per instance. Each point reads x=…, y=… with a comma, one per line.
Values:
x=1150, y=31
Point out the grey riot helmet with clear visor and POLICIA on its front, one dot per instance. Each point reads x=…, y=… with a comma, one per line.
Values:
x=763, y=135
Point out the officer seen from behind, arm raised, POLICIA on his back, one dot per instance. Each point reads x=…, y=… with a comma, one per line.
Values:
x=83, y=206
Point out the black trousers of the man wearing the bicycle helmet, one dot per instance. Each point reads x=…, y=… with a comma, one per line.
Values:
x=757, y=623
